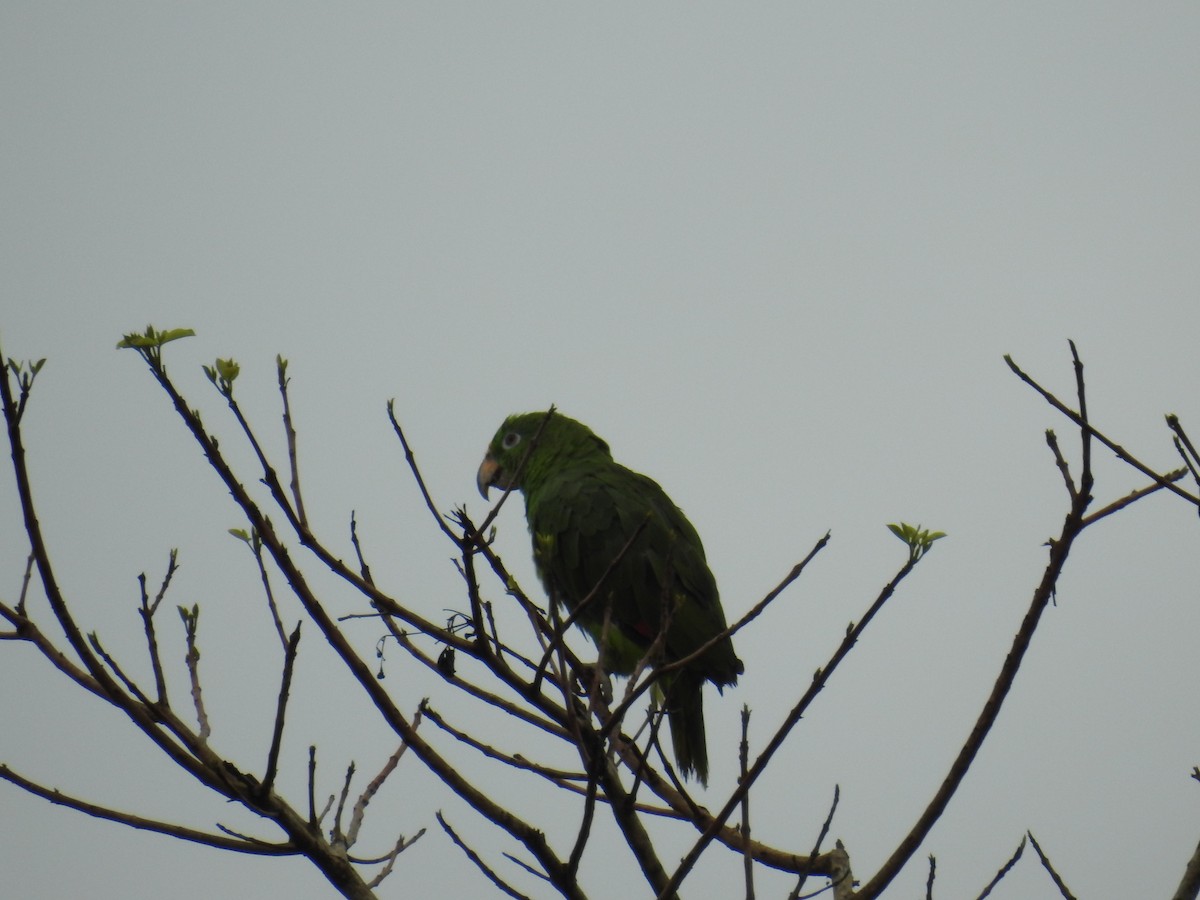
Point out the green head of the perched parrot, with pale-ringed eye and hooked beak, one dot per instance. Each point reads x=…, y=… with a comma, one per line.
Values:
x=530, y=446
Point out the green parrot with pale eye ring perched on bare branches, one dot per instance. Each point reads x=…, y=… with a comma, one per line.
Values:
x=583, y=509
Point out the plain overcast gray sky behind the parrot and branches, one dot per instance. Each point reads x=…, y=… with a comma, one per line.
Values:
x=775, y=256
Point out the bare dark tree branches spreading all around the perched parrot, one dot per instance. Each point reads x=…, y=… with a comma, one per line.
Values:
x=538, y=687
